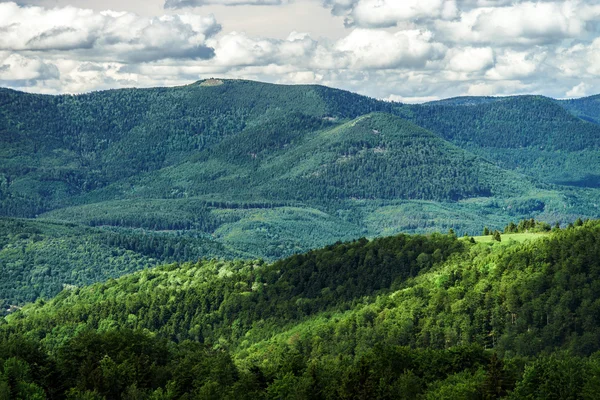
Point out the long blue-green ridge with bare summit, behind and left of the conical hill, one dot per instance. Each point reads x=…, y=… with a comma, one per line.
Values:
x=54, y=147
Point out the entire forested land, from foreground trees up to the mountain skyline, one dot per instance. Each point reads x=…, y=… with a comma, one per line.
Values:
x=249, y=240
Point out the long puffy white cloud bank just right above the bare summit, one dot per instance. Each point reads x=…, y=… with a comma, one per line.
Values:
x=360, y=49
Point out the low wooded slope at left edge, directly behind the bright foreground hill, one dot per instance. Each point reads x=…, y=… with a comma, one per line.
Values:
x=39, y=259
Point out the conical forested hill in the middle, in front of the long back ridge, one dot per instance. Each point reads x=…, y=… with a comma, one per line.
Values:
x=376, y=156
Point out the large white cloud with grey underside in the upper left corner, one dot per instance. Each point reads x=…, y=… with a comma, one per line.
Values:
x=106, y=35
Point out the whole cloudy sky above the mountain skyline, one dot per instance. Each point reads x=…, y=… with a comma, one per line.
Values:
x=402, y=50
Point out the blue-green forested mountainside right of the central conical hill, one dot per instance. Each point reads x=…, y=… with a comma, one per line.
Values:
x=533, y=135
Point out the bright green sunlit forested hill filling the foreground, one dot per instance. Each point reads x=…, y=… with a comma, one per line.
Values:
x=399, y=317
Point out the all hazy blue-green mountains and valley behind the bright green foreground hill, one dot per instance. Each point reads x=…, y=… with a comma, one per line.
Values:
x=247, y=169
